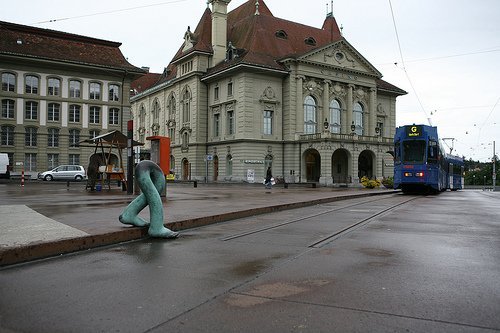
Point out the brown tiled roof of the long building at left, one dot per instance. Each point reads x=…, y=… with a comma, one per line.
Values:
x=43, y=44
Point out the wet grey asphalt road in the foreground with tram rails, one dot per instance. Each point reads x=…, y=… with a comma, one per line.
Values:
x=411, y=264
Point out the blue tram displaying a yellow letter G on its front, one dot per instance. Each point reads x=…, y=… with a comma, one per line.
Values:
x=420, y=164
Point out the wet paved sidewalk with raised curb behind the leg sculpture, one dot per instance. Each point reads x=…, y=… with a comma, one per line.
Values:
x=47, y=219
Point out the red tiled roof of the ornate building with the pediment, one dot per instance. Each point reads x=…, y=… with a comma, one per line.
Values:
x=261, y=40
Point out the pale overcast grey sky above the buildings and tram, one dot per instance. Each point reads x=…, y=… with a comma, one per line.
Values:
x=450, y=48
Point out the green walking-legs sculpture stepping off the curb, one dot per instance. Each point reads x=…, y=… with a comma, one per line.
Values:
x=151, y=182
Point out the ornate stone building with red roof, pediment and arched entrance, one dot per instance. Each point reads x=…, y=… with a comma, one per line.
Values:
x=248, y=90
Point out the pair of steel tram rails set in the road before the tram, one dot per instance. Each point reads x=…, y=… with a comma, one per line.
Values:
x=332, y=236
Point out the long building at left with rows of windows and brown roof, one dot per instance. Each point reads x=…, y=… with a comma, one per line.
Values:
x=57, y=90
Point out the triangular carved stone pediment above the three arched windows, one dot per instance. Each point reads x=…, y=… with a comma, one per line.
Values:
x=341, y=55
